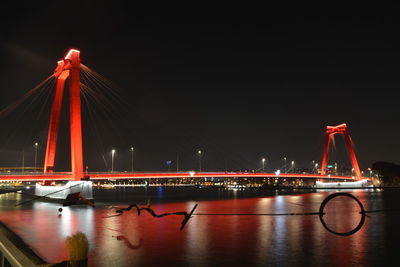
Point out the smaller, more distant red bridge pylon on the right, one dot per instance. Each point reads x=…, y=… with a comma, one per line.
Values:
x=330, y=132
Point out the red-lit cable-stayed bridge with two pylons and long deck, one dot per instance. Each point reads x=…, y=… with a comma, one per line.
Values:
x=70, y=68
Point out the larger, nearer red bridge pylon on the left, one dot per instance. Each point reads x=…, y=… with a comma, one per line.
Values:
x=68, y=67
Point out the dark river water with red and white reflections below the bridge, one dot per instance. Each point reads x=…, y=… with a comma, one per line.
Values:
x=213, y=240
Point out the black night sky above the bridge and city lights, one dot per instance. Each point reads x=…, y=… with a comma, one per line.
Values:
x=238, y=84
